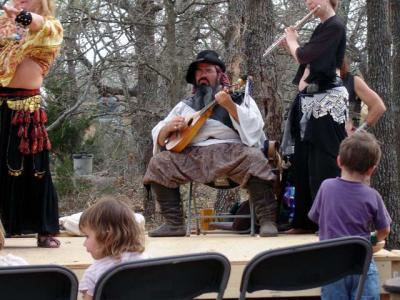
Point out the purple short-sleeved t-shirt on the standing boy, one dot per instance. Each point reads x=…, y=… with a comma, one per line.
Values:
x=347, y=208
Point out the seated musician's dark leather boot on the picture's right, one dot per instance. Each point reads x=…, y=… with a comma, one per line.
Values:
x=265, y=205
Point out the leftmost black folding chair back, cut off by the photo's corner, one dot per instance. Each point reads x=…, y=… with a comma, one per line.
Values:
x=38, y=282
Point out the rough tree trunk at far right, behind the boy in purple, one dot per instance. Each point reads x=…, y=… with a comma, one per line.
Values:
x=379, y=78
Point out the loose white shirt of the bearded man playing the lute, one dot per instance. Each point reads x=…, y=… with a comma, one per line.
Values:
x=250, y=128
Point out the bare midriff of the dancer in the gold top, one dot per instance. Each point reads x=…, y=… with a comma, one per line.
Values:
x=28, y=75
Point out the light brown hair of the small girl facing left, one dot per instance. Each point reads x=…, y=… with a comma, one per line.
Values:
x=115, y=227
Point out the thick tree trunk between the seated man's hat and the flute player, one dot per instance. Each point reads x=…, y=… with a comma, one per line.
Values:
x=259, y=34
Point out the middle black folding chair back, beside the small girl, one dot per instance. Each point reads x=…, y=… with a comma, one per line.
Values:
x=176, y=277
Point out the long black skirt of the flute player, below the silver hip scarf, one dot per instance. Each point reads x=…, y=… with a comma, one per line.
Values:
x=314, y=160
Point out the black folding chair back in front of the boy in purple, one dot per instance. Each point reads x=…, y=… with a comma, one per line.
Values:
x=307, y=266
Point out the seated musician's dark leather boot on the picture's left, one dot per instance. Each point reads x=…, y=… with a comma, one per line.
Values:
x=171, y=209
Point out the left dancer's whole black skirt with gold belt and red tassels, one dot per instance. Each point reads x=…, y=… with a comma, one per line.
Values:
x=28, y=200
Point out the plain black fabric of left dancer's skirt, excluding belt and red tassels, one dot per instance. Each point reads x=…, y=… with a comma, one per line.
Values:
x=28, y=200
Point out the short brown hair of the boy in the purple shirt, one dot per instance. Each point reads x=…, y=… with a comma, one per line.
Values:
x=359, y=152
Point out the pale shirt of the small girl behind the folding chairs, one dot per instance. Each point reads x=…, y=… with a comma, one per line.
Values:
x=93, y=273
